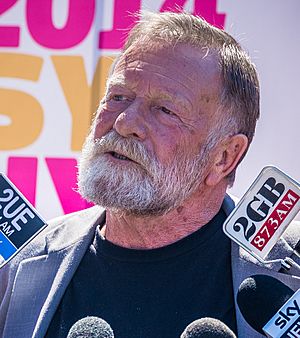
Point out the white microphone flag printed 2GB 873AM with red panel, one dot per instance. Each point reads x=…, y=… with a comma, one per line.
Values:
x=264, y=212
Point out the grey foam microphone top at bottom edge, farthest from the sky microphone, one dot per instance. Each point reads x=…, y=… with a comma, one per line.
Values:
x=91, y=327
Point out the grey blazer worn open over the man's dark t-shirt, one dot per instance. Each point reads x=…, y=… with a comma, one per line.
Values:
x=32, y=284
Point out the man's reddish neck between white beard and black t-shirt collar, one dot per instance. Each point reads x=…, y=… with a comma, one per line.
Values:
x=148, y=232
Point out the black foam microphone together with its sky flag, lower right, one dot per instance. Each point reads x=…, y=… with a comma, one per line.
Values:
x=269, y=306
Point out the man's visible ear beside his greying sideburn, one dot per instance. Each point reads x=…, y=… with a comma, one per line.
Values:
x=226, y=158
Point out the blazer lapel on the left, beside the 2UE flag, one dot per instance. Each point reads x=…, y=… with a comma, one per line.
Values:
x=47, y=276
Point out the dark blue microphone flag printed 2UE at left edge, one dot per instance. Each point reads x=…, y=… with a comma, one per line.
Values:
x=19, y=221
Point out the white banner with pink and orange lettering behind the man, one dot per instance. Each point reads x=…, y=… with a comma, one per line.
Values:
x=54, y=60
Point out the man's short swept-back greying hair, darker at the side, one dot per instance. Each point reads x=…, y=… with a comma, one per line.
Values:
x=239, y=97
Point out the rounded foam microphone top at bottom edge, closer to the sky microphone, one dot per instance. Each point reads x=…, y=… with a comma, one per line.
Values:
x=207, y=327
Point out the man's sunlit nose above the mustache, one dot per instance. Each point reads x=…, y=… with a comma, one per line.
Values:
x=131, y=122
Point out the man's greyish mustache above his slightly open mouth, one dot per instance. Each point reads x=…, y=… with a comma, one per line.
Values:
x=133, y=149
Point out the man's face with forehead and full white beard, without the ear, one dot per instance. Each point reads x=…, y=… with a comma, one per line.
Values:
x=149, y=146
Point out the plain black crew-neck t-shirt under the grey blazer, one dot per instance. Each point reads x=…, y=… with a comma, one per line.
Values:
x=152, y=293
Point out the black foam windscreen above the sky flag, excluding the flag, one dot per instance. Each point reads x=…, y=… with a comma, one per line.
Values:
x=259, y=297
